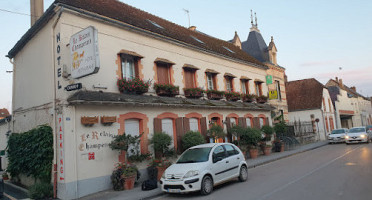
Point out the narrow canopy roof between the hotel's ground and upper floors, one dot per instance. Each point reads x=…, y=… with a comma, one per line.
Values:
x=108, y=98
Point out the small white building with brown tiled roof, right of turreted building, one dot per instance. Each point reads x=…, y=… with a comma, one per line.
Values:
x=309, y=100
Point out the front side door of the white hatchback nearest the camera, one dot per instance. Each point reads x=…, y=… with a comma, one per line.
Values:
x=219, y=163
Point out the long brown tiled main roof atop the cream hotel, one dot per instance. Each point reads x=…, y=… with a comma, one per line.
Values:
x=140, y=20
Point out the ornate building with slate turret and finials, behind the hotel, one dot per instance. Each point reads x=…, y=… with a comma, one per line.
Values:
x=256, y=46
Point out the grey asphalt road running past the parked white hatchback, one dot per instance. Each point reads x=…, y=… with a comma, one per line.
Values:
x=340, y=171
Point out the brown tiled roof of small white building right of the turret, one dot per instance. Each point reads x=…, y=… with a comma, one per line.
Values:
x=304, y=94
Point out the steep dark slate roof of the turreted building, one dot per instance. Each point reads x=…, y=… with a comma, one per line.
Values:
x=256, y=46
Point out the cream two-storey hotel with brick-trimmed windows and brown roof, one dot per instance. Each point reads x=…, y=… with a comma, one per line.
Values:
x=77, y=51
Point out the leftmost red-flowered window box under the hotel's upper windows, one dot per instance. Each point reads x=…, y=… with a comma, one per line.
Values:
x=133, y=86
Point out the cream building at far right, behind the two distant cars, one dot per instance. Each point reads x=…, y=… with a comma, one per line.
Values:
x=351, y=108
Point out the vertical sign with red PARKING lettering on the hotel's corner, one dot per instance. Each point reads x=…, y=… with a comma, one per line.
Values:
x=61, y=146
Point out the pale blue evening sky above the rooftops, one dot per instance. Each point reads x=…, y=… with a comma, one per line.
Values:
x=315, y=39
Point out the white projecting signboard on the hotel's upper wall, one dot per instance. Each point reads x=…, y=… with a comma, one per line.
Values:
x=84, y=53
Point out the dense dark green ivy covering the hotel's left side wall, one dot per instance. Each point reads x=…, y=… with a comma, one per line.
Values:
x=31, y=153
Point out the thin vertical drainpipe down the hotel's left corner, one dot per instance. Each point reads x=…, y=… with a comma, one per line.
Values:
x=55, y=145
